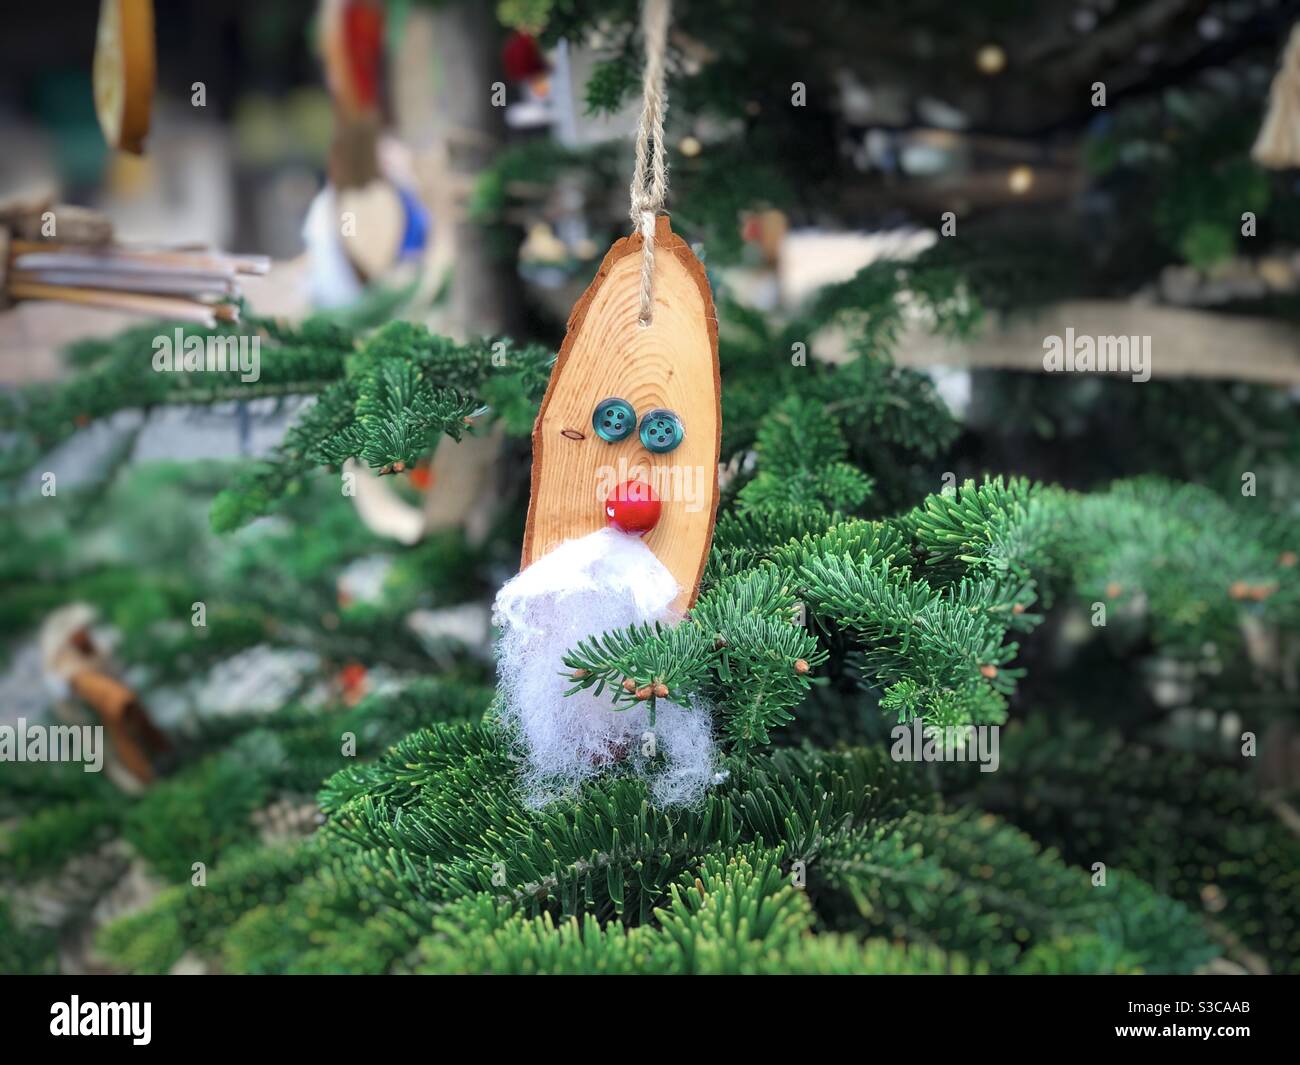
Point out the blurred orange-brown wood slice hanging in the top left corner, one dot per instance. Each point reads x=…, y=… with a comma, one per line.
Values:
x=124, y=72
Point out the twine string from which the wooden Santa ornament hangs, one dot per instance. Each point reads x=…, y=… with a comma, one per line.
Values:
x=651, y=180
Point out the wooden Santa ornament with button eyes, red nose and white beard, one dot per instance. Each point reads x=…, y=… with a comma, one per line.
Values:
x=619, y=526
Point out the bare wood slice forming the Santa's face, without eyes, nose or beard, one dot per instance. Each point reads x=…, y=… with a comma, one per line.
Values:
x=671, y=363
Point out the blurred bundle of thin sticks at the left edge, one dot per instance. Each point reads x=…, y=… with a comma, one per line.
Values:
x=177, y=284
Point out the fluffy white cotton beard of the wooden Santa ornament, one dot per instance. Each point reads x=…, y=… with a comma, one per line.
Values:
x=600, y=583
